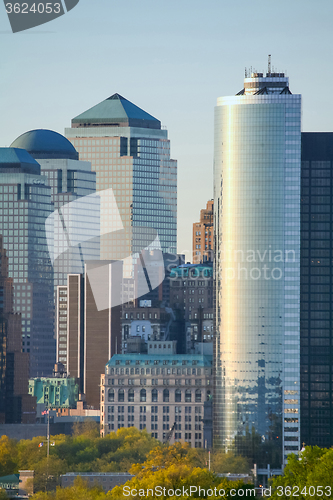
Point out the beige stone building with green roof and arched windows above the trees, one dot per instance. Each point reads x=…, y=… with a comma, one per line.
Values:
x=157, y=393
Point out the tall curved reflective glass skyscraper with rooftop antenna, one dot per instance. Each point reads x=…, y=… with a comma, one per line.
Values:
x=257, y=173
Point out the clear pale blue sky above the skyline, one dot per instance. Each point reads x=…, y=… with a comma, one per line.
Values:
x=171, y=58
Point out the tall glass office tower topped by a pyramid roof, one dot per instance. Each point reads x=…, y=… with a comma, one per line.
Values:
x=130, y=153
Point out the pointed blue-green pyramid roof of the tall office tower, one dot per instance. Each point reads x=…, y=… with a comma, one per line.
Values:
x=116, y=111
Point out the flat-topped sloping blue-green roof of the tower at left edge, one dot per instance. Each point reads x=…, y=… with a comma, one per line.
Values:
x=17, y=160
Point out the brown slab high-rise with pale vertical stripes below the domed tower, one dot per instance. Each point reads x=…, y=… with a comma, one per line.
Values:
x=88, y=330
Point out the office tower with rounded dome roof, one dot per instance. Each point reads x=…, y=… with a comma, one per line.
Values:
x=70, y=179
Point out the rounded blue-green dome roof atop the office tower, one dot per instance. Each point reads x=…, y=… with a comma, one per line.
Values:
x=46, y=144
